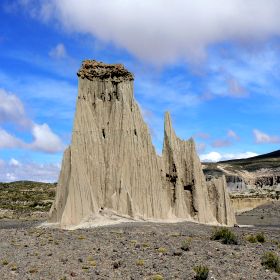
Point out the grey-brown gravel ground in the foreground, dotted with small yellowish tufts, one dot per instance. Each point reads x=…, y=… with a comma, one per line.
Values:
x=130, y=251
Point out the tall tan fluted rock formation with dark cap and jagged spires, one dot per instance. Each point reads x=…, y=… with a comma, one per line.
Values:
x=111, y=168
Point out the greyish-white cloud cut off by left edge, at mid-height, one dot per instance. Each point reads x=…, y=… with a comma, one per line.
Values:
x=12, y=109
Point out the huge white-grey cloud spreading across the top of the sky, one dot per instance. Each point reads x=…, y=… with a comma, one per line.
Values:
x=162, y=31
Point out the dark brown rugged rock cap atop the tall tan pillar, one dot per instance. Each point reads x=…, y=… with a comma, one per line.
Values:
x=92, y=69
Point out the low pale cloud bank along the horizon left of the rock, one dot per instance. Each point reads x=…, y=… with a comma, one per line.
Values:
x=47, y=172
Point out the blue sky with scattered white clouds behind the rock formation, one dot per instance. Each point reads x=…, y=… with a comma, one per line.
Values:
x=214, y=64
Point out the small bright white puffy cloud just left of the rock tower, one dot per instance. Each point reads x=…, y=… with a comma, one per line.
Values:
x=45, y=139
